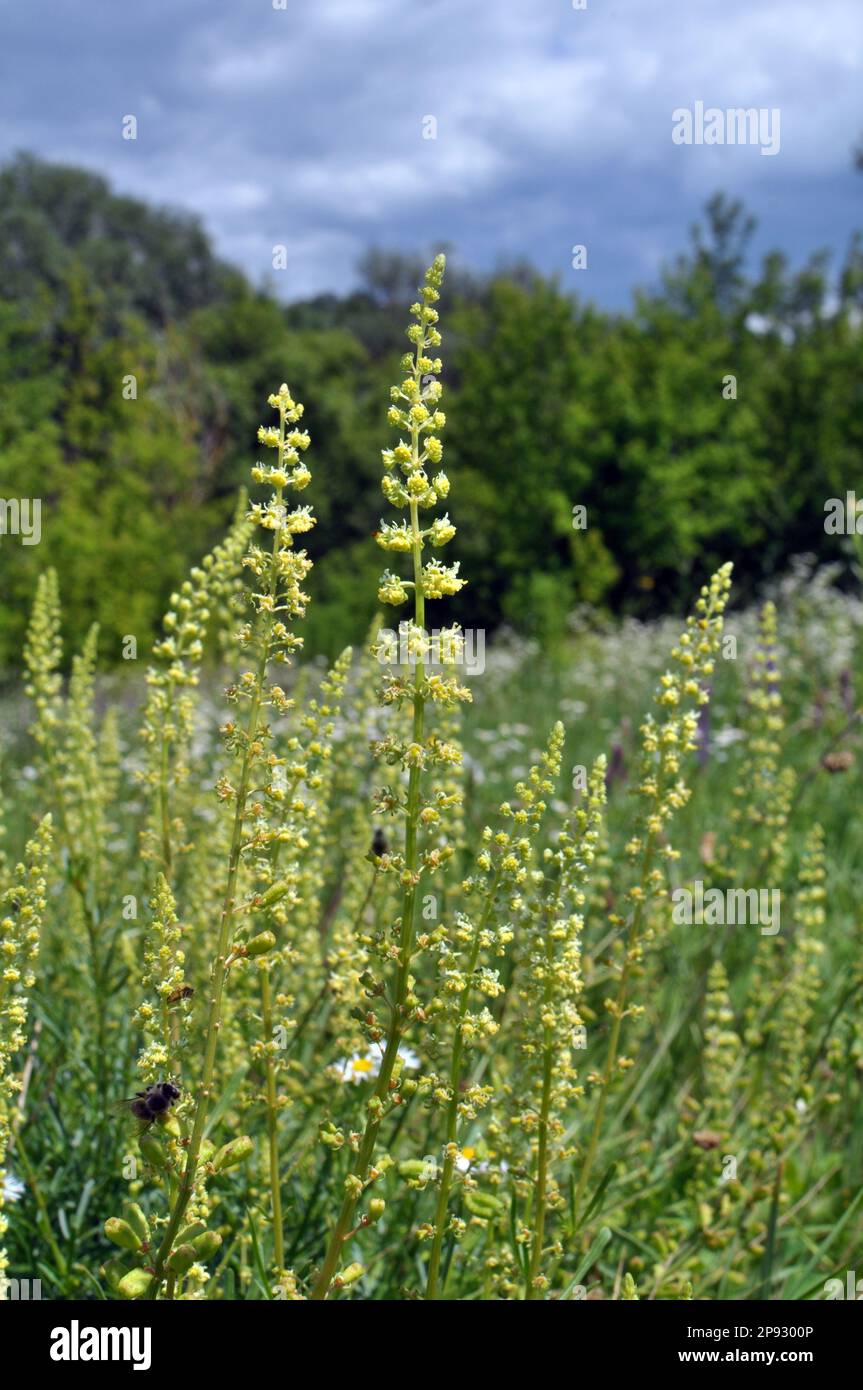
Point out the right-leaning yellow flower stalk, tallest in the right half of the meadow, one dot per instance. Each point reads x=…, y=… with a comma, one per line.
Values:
x=662, y=790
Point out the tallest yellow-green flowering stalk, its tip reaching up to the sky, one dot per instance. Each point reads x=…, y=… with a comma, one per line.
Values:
x=409, y=489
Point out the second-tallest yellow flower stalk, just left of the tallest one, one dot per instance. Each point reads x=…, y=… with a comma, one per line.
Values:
x=277, y=600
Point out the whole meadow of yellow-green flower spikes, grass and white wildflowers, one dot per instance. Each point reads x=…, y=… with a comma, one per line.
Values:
x=398, y=981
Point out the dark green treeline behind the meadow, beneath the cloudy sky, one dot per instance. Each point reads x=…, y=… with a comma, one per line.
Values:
x=552, y=404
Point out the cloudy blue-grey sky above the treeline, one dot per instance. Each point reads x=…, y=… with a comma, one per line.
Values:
x=305, y=126
